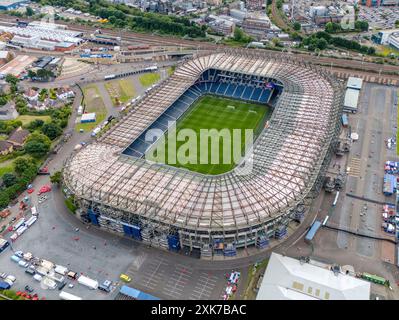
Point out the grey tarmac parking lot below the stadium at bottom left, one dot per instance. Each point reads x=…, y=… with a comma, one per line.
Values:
x=103, y=256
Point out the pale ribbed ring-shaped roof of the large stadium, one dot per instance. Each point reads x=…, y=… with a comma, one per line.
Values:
x=286, y=159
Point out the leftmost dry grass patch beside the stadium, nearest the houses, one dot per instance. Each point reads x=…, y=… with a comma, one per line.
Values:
x=94, y=103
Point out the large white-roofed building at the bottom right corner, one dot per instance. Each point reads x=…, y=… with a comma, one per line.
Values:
x=289, y=279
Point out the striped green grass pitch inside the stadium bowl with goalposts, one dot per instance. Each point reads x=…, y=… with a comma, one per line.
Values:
x=209, y=112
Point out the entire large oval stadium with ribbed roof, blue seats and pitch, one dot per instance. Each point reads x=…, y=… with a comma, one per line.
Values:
x=295, y=110
